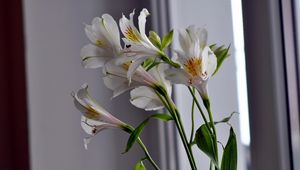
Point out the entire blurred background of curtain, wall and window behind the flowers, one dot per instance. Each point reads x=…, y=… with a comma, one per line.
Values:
x=40, y=66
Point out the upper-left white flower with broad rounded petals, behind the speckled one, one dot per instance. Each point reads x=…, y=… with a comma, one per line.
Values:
x=105, y=42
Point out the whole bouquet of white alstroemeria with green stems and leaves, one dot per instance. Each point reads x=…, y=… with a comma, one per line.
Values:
x=143, y=67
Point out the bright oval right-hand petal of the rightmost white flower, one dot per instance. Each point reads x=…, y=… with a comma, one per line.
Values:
x=209, y=61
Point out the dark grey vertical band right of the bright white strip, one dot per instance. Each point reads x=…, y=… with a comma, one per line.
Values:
x=266, y=85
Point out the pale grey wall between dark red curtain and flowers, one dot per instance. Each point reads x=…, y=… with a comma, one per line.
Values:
x=54, y=37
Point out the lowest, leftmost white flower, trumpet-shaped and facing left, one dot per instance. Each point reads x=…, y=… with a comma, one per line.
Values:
x=94, y=118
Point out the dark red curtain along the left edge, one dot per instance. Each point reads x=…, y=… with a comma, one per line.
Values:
x=14, y=154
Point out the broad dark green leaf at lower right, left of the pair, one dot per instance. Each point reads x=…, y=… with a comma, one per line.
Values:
x=207, y=143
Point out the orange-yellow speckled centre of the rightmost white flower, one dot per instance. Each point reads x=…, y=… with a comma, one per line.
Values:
x=193, y=66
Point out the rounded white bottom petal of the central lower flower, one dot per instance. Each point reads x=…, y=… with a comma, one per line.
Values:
x=145, y=98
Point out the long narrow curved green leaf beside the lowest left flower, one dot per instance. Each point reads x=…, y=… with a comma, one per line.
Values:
x=137, y=131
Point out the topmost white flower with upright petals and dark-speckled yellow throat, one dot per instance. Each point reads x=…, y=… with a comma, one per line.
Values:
x=137, y=45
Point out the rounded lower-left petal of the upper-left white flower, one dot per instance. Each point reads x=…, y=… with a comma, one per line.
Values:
x=93, y=56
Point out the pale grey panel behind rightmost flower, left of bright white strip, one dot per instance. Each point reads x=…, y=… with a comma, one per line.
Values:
x=215, y=16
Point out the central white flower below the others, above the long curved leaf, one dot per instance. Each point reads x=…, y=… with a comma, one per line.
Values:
x=143, y=83
